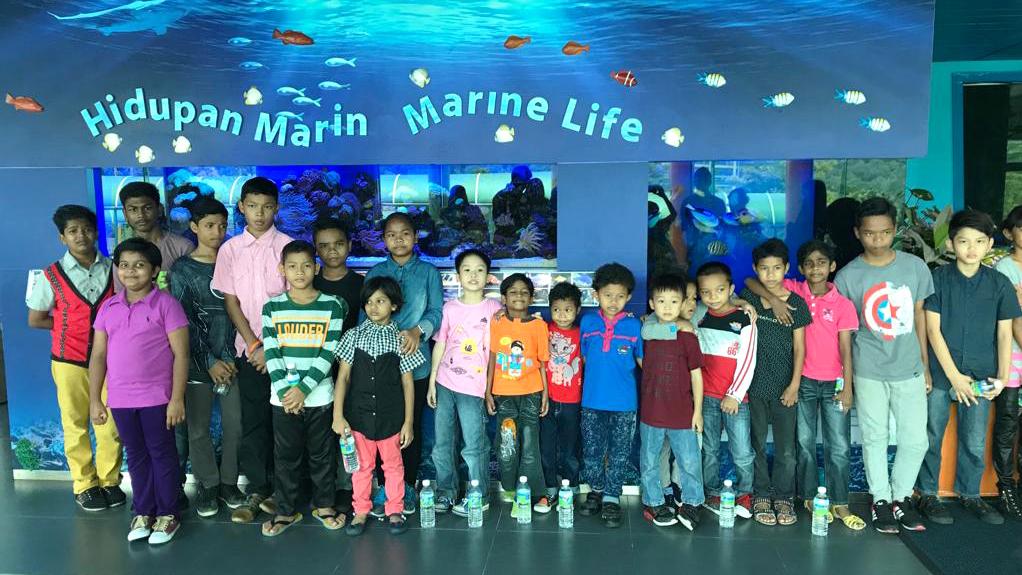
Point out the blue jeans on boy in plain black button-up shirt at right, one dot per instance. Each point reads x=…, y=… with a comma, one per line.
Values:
x=972, y=422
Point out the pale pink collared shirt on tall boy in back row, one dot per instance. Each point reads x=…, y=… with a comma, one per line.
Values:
x=248, y=268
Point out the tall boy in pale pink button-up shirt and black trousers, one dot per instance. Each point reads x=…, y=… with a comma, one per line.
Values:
x=248, y=275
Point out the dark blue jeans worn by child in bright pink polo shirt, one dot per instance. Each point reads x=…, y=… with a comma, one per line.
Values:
x=816, y=401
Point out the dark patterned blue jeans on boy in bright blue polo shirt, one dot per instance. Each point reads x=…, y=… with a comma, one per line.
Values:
x=607, y=444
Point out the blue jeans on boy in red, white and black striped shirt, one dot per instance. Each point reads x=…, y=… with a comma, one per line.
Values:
x=739, y=444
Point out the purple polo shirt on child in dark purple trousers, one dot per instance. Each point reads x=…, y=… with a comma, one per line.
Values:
x=140, y=360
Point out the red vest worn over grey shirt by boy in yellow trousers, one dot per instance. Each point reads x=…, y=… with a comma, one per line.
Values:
x=73, y=318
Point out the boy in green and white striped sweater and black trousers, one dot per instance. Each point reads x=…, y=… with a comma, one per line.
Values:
x=302, y=331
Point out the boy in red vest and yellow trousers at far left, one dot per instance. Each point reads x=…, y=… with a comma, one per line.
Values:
x=64, y=300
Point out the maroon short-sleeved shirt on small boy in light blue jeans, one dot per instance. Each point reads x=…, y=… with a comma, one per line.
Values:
x=667, y=381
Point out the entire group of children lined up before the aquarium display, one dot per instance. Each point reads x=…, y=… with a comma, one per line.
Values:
x=300, y=352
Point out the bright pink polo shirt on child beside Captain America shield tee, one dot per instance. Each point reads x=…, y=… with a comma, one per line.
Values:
x=832, y=313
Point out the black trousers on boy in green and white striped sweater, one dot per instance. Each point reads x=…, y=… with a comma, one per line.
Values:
x=297, y=437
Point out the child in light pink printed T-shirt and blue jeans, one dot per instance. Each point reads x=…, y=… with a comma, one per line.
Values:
x=458, y=381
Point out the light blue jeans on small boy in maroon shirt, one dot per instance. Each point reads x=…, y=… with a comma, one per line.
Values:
x=685, y=445
